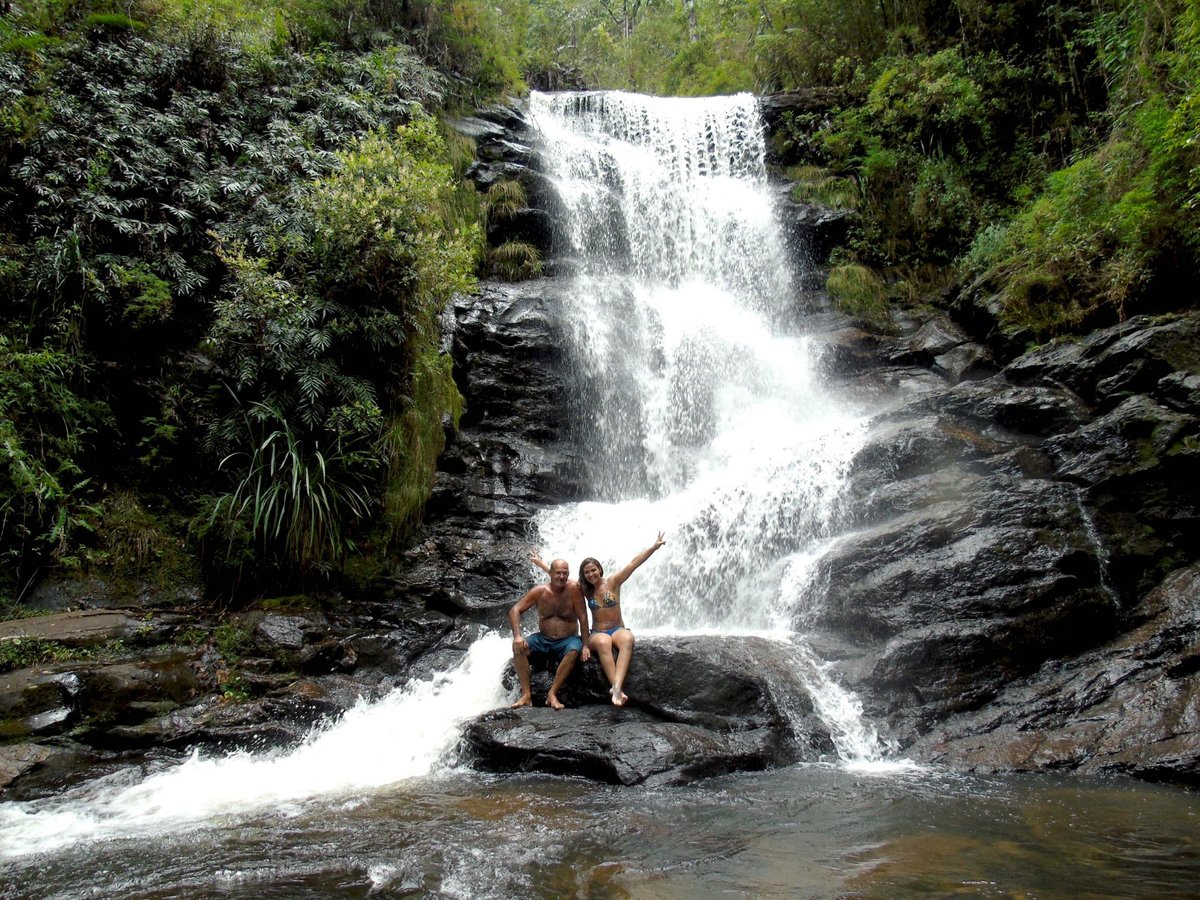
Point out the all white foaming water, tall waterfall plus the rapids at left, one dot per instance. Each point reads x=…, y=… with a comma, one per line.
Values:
x=703, y=413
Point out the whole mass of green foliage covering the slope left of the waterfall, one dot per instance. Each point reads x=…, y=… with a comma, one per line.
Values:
x=220, y=176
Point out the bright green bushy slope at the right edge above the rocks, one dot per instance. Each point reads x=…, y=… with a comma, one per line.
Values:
x=1121, y=219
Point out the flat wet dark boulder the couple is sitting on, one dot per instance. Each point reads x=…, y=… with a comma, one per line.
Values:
x=699, y=707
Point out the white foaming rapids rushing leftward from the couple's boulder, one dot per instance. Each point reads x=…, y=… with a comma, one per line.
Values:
x=409, y=734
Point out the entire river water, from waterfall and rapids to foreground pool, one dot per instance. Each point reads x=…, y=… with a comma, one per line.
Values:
x=704, y=416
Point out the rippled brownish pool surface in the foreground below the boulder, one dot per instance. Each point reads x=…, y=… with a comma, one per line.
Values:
x=809, y=832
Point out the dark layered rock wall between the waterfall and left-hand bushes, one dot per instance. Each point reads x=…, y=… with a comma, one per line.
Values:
x=514, y=455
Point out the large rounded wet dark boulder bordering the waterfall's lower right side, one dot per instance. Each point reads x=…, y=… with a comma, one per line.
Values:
x=941, y=643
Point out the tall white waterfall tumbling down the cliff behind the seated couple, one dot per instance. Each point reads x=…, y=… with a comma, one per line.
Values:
x=704, y=412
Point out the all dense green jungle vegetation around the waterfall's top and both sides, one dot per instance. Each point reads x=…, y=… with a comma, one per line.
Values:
x=230, y=227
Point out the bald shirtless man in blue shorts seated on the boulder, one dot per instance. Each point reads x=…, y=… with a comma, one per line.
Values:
x=560, y=610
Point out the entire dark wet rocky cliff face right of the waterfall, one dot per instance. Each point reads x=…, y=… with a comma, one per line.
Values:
x=1013, y=531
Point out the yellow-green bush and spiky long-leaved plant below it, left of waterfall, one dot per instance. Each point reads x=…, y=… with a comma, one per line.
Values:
x=332, y=346
